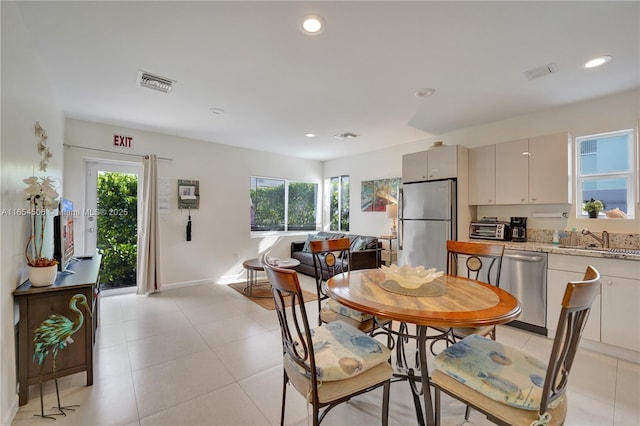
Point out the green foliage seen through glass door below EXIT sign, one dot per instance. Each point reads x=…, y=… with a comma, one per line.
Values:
x=117, y=222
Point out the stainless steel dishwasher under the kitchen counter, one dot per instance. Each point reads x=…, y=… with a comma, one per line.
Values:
x=524, y=275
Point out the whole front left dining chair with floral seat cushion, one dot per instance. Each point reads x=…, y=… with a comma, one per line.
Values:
x=328, y=364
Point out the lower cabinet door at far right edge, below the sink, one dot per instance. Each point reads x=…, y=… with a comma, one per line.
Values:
x=620, y=317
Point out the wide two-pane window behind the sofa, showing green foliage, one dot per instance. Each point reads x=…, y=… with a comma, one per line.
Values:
x=282, y=205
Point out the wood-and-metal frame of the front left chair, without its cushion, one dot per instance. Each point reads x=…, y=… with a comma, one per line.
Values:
x=297, y=343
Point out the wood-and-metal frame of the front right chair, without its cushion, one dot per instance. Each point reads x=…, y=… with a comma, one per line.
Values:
x=576, y=305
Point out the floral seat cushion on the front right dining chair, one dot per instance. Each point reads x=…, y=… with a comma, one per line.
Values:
x=497, y=371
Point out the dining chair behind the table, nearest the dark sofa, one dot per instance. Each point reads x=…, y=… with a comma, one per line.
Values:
x=331, y=257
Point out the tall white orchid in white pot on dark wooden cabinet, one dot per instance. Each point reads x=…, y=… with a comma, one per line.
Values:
x=42, y=197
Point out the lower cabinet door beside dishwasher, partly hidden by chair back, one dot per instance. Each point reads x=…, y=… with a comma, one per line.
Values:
x=556, y=285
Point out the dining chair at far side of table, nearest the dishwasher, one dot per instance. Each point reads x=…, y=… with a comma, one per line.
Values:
x=483, y=263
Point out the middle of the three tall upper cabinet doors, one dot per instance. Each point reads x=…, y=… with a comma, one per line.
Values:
x=512, y=172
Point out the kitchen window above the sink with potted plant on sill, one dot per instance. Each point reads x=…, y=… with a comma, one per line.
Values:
x=605, y=170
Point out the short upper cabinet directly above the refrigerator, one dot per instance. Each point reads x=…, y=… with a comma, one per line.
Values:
x=433, y=164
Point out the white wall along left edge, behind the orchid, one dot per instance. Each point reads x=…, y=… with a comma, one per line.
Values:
x=26, y=99
